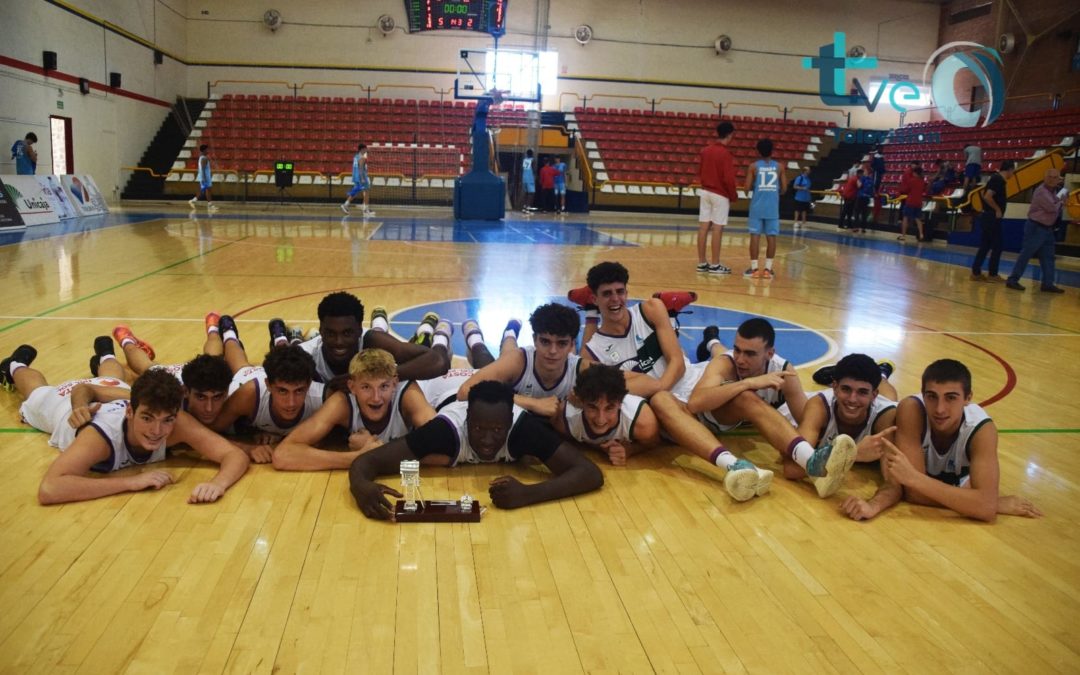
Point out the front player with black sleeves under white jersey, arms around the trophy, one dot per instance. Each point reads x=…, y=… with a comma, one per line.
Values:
x=489, y=428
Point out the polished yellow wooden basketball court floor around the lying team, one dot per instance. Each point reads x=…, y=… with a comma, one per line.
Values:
x=659, y=572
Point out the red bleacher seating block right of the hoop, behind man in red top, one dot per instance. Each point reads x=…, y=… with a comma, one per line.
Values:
x=643, y=146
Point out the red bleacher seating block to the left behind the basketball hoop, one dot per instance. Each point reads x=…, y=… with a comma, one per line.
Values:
x=250, y=132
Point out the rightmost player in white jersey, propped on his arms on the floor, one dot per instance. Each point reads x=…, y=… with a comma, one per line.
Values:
x=947, y=454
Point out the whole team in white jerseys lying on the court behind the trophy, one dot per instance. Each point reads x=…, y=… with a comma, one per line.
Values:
x=631, y=388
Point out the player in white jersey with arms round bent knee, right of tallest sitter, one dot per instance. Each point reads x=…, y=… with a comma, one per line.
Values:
x=748, y=385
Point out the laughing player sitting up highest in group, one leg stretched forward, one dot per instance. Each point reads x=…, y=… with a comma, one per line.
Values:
x=642, y=340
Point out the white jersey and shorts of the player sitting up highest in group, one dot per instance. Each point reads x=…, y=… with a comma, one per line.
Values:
x=639, y=352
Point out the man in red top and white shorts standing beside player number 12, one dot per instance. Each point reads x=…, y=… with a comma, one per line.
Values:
x=717, y=173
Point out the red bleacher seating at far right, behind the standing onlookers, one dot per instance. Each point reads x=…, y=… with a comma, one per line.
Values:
x=1016, y=137
